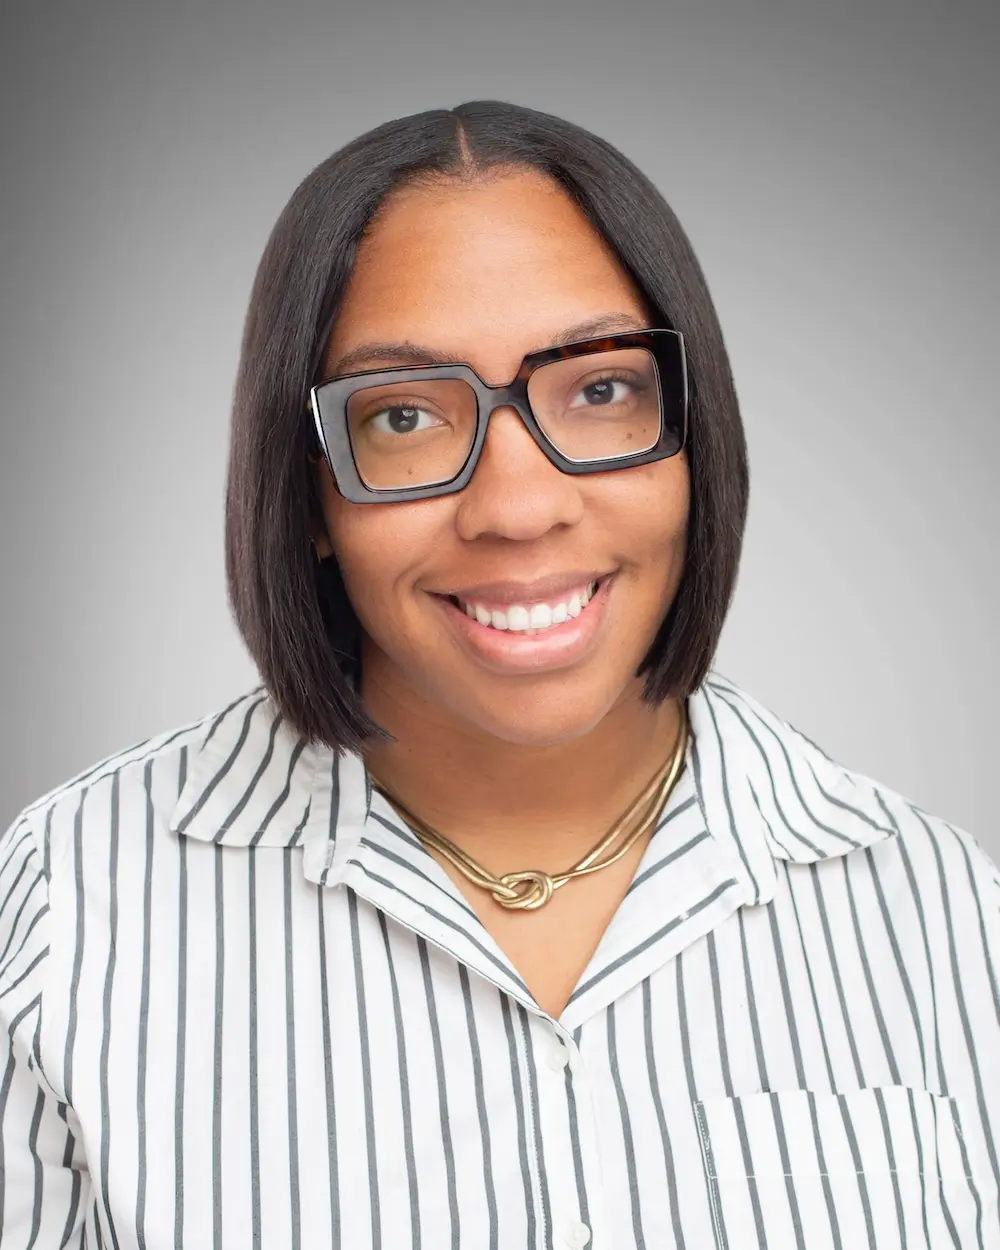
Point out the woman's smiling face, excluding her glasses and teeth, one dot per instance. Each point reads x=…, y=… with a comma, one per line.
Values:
x=487, y=273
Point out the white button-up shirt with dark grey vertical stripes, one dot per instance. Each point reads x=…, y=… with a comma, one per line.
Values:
x=242, y=1007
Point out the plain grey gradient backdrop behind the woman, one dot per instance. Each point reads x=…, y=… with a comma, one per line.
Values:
x=837, y=169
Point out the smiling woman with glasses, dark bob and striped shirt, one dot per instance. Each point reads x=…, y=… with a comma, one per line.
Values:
x=494, y=917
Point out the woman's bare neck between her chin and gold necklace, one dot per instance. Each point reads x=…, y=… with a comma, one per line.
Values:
x=507, y=803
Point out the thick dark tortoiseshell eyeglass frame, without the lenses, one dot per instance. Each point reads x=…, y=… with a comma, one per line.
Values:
x=329, y=403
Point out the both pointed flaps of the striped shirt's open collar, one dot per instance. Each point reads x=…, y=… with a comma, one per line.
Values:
x=767, y=793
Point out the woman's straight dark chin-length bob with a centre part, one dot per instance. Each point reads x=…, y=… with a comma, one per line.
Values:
x=292, y=609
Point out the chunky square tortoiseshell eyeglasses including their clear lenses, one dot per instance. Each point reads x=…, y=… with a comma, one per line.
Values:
x=417, y=432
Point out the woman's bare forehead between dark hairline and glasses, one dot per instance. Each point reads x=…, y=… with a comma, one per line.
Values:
x=499, y=268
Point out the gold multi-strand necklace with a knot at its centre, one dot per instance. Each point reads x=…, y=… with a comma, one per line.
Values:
x=533, y=888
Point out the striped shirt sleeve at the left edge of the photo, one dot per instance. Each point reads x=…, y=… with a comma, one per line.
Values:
x=44, y=1183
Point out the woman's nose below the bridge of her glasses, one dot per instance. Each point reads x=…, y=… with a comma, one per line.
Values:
x=516, y=492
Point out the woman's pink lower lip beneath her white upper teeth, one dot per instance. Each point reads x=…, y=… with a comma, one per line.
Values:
x=553, y=648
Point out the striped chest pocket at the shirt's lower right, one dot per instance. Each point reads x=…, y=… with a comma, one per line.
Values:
x=883, y=1168
